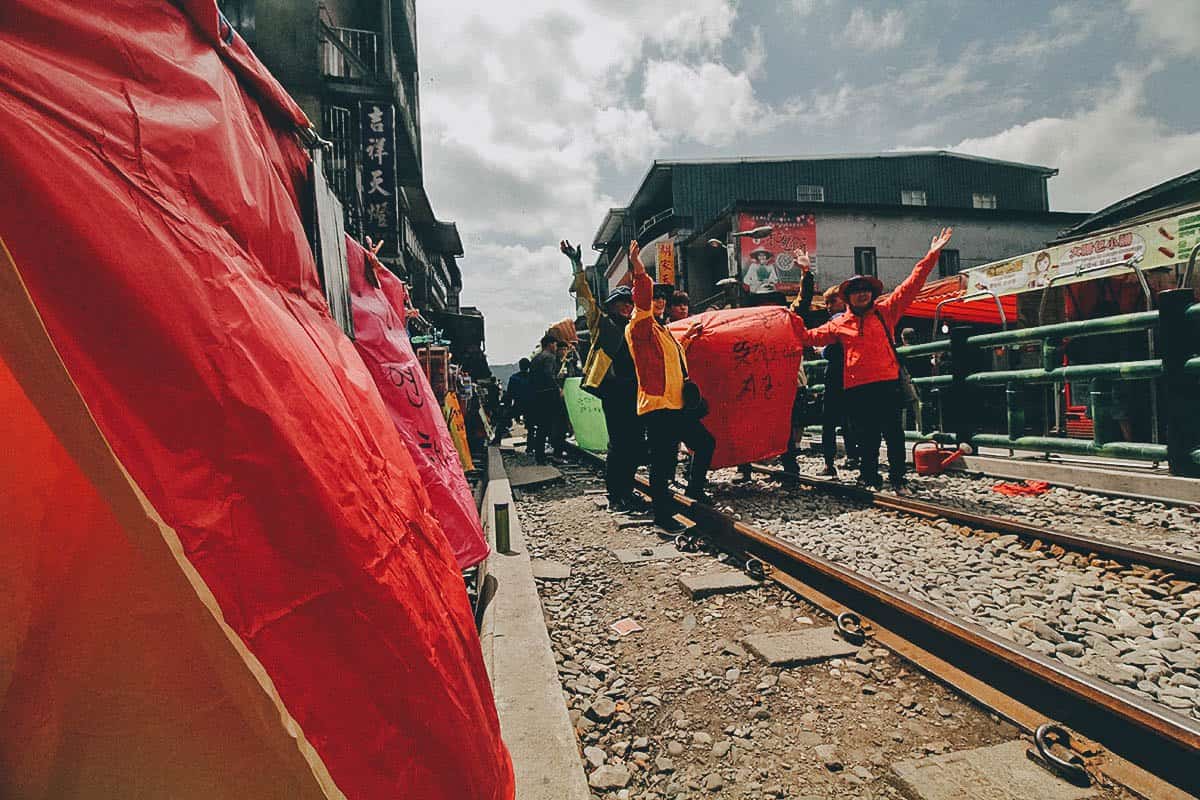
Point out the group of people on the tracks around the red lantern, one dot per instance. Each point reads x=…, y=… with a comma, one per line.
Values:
x=639, y=370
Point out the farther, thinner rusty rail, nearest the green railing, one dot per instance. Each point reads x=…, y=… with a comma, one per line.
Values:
x=1180, y=566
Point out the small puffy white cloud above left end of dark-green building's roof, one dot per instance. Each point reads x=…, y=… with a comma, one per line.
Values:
x=707, y=103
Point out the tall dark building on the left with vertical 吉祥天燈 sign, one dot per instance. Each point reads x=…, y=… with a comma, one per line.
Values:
x=352, y=67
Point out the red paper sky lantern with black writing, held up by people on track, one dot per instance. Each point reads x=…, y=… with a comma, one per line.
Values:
x=746, y=365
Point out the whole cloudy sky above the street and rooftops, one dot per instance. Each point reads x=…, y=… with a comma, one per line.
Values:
x=538, y=116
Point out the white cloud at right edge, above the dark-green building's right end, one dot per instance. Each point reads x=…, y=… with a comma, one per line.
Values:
x=1109, y=149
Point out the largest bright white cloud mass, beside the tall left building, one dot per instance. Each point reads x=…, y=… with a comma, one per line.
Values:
x=525, y=107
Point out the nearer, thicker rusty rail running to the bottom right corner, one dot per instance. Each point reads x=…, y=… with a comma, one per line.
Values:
x=1151, y=749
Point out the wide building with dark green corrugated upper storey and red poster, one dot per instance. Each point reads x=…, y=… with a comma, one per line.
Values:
x=869, y=214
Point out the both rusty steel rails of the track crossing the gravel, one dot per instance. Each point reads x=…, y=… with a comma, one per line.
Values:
x=1130, y=738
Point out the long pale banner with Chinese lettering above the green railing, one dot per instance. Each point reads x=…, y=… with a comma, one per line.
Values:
x=1151, y=245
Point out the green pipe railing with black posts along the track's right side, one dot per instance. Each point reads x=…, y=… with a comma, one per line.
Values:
x=1177, y=332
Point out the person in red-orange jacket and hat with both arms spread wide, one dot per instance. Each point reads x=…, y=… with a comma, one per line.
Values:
x=872, y=376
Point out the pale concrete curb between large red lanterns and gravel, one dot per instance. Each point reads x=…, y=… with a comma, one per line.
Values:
x=521, y=664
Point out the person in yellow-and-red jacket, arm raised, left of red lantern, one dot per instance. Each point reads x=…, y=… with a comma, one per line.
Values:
x=662, y=368
